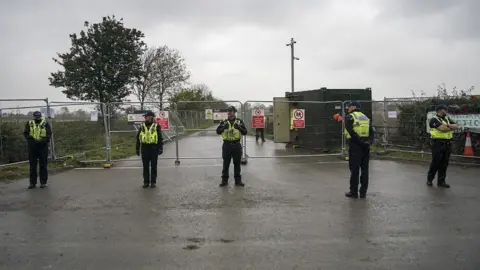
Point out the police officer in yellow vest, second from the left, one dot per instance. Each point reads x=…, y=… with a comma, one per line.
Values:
x=150, y=142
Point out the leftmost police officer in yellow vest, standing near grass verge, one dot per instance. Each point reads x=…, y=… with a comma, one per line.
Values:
x=38, y=134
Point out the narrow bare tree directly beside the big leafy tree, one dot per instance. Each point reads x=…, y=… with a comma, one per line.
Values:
x=147, y=79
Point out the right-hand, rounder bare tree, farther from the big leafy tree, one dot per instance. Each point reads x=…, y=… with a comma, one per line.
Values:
x=170, y=73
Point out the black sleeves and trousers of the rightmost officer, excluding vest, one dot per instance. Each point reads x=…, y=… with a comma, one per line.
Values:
x=441, y=150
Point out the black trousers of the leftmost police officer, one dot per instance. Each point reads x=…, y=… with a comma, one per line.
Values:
x=38, y=154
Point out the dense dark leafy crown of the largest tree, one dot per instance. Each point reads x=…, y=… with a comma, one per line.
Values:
x=102, y=62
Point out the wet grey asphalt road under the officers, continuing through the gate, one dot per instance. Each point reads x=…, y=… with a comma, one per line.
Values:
x=291, y=215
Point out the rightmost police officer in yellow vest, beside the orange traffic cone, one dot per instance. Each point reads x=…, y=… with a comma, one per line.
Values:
x=441, y=132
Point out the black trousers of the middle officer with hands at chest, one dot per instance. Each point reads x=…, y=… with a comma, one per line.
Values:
x=232, y=150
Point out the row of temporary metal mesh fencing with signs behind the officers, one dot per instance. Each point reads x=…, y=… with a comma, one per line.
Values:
x=94, y=132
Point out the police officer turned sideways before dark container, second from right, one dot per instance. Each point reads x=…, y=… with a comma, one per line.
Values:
x=360, y=134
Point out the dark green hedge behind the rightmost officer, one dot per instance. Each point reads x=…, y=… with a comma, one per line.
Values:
x=412, y=117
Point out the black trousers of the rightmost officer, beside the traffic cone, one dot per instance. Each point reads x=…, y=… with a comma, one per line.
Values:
x=441, y=150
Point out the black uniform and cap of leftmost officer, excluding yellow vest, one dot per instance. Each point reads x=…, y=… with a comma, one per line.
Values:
x=38, y=152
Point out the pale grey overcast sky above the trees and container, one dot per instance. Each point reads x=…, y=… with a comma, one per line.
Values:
x=238, y=49
